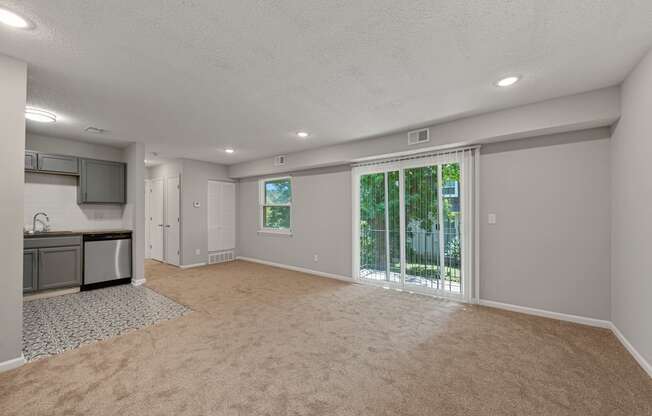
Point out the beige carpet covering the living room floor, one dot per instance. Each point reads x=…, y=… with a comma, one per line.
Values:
x=266, y=341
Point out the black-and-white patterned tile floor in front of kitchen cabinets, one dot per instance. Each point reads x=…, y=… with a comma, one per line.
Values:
x=54, y=325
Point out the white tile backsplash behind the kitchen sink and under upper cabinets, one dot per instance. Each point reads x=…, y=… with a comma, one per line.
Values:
x=56, y=195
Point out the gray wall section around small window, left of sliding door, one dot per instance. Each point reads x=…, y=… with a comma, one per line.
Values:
x=321, y=209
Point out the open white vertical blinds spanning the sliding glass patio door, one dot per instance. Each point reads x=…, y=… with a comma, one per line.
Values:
x=415, y=221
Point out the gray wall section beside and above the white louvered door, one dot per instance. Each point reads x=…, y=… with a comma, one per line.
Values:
x=194, y=221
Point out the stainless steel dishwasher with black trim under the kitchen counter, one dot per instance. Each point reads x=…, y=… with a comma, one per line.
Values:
x=107, y=259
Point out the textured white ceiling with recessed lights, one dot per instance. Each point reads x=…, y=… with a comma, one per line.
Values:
x=190, y=77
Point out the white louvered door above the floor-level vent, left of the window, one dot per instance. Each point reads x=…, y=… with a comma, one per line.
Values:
x=221, y=216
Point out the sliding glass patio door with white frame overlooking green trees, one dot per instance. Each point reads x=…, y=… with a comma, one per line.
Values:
x=408, y=222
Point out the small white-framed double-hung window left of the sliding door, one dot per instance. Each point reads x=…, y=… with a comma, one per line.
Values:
x=276, y=205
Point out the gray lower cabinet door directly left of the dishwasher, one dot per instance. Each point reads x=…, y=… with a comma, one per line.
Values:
x=59, y=267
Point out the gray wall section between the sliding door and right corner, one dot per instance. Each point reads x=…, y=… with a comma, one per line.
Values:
x=550, y=246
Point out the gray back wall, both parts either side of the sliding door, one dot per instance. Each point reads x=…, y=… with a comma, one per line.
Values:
x=549, y=249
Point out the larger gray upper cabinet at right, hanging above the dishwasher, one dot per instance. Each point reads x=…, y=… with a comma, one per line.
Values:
x=102, y=182
